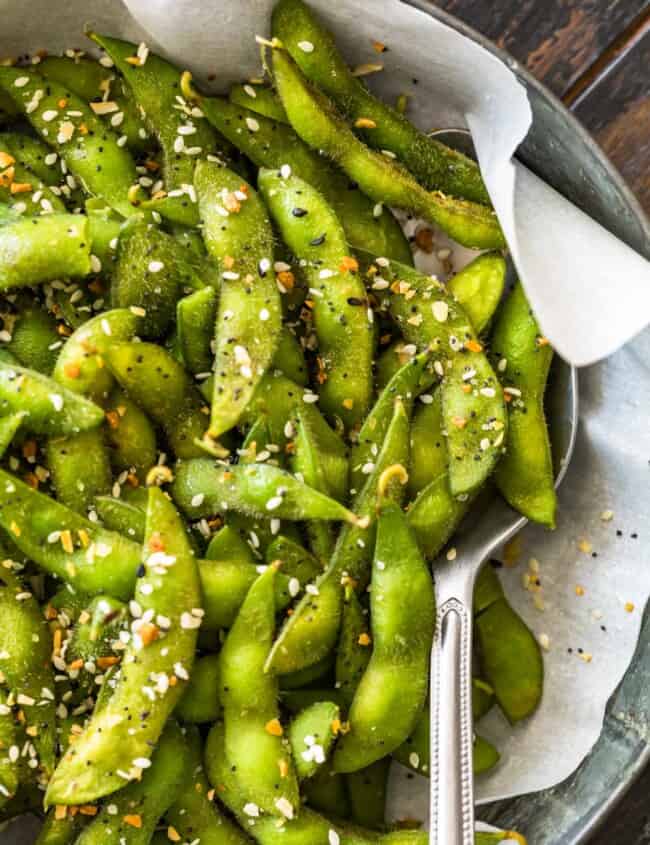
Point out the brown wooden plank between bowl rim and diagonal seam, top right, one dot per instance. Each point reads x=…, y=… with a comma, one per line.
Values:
x=557, y=40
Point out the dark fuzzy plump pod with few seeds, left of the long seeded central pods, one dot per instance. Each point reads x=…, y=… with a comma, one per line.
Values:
x=148, y=275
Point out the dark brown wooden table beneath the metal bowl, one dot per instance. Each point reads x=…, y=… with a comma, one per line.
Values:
x=595, y=55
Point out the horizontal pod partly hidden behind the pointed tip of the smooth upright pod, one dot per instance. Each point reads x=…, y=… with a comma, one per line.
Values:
x=225, y=584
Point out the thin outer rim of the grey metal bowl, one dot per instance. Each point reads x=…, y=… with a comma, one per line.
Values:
x=597, y=816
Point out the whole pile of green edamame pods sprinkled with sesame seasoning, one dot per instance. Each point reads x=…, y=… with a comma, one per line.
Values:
x=237, y=427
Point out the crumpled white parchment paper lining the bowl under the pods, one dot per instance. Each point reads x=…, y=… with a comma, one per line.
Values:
x=460, y=84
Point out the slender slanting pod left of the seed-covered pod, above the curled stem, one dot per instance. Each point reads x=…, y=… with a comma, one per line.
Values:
x=415, y=376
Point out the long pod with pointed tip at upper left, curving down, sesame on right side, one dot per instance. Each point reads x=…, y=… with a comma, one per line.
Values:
x=182, y=132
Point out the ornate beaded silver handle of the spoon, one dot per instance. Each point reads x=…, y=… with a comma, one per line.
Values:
x=452, y=731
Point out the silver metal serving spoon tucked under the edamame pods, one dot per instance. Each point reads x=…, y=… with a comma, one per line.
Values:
x=452, y=731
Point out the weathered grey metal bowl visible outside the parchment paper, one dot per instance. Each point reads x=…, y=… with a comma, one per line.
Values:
x=561, y=152
